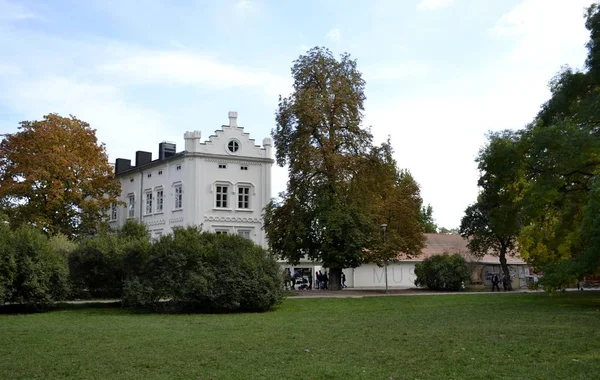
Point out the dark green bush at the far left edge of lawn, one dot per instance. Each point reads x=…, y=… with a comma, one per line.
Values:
x=31, y=272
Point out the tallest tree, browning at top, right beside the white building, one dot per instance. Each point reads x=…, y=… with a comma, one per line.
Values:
x=331, y=209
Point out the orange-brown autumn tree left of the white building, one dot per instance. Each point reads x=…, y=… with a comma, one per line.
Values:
x=55, y=176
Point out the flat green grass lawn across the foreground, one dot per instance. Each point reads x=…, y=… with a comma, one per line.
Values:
x=447, y=337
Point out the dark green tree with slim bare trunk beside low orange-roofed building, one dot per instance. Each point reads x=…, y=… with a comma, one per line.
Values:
x=491, y=224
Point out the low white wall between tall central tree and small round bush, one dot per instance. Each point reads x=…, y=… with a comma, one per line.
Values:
x=400, y=275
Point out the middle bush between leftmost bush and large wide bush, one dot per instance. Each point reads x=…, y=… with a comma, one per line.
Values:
x=101, y=263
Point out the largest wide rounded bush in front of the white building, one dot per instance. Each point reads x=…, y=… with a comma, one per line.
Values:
x=204, y=272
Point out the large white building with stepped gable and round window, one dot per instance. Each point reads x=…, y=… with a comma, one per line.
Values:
x=221, y=184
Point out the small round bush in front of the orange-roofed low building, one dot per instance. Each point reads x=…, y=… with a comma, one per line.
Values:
x=443, y=272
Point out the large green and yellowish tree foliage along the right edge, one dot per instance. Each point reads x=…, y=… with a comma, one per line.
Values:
x=562, y=160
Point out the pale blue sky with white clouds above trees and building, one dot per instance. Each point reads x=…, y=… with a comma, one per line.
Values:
x=440, y=73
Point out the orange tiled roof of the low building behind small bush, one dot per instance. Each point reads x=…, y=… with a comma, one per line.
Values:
x=438, y=244
